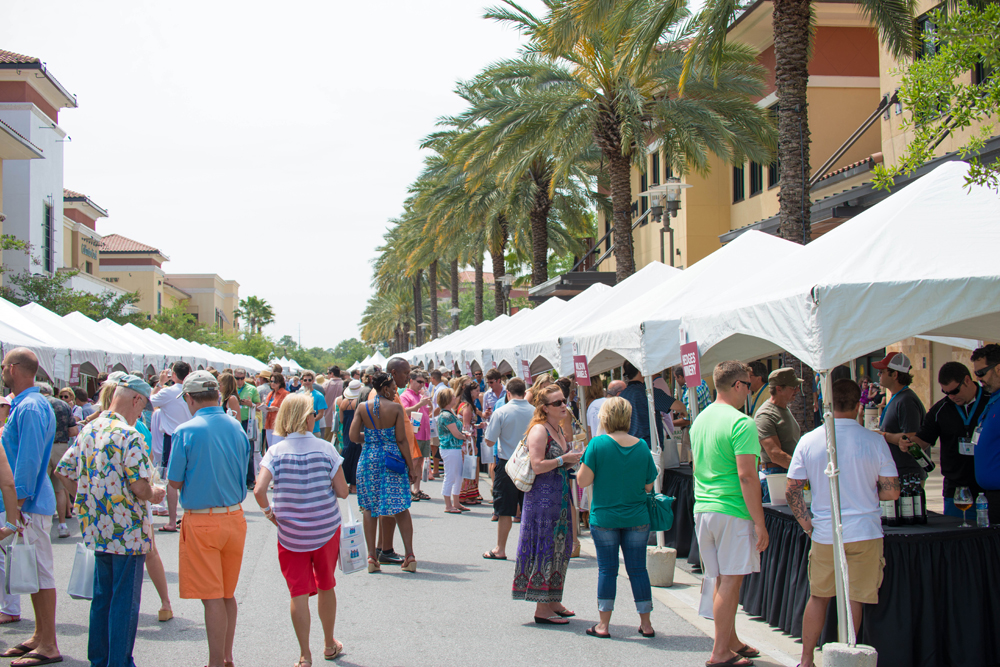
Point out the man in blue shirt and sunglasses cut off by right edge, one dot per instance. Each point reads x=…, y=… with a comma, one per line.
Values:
x=986, y=438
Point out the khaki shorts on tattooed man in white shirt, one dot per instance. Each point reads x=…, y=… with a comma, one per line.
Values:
x=865, y=564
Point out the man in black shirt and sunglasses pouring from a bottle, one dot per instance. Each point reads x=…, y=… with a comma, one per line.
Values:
x=952, y=420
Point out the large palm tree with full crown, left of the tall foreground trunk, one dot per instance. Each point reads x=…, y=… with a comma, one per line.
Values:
x=576, y=86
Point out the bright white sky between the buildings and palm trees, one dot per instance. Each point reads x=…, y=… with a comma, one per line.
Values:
x=267, y=142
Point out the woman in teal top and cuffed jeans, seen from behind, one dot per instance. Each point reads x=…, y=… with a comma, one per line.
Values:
x=622, y=471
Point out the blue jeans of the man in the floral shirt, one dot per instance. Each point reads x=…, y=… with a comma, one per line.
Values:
x=114, y=611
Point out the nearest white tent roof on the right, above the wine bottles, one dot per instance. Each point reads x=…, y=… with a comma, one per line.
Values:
x=916, y=263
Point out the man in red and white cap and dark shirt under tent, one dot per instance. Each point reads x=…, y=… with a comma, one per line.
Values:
x=904, y=413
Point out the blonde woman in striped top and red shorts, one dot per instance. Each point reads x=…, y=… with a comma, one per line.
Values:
x=308, y=478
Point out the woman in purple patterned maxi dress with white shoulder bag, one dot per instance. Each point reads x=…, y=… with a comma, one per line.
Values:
x=546, y=540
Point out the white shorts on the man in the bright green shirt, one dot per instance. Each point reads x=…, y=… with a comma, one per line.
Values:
x=728, y=544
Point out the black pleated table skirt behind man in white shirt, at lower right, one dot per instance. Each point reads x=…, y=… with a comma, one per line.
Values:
x=939, y=603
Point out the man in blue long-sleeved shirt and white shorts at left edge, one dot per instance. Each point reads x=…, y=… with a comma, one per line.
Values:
x=27, y=440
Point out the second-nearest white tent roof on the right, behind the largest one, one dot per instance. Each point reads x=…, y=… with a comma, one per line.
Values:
x=644, y=330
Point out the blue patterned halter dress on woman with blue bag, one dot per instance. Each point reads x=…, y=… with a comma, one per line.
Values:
x=380, y=491
